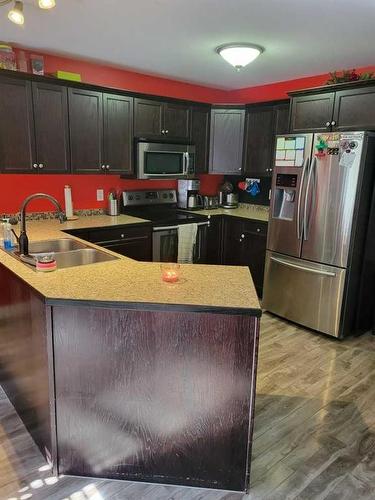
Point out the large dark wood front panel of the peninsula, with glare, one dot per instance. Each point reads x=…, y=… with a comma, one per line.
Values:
x=167, y=395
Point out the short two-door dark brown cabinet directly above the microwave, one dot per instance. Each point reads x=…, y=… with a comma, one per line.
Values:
x=161, y=120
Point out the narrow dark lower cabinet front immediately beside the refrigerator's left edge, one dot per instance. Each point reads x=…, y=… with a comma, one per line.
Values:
x=253, y=251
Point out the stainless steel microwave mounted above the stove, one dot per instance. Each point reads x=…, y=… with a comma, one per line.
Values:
x=164, y=161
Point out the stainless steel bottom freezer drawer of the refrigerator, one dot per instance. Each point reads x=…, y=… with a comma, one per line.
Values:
x=304, y=292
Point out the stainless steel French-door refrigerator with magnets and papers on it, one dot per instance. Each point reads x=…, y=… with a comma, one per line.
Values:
x=321, y=197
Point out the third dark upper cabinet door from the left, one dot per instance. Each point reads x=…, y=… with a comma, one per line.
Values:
x=86, y=130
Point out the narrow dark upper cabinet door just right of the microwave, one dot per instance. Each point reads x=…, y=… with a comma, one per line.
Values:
x=200, y=137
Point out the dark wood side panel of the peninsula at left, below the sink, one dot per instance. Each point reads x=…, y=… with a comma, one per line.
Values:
x=26, y=358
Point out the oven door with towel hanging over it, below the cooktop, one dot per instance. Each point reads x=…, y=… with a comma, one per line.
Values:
x=165, y=244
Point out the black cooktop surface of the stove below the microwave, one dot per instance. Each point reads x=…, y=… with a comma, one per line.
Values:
x=164, y=216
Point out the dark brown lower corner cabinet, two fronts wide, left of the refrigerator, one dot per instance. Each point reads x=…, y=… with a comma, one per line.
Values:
x=245, y=245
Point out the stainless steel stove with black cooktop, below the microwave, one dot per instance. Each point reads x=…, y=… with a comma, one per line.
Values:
x=160, y=207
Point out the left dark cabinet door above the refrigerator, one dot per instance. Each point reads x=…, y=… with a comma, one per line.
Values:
x=312, y=113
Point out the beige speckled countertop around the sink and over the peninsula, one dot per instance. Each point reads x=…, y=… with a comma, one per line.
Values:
x=125, y=280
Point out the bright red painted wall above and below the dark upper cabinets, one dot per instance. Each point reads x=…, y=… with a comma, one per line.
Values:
x=14, y=188
